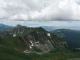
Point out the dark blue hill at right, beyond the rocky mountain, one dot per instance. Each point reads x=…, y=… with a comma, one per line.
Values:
x=71, y=36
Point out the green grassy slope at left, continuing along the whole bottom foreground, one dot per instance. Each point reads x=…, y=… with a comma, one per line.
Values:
x=8, y=52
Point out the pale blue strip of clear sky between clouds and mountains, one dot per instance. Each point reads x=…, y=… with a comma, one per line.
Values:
x=75, y=25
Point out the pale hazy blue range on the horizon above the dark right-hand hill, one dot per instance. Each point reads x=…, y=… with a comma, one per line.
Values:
x=52, y=28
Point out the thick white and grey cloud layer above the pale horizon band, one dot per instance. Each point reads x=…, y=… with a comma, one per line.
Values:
x=40, y=9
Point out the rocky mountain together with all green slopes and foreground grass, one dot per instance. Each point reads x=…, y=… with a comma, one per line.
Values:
x=40, y=45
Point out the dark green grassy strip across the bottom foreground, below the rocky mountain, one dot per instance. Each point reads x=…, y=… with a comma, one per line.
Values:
x=11, y=54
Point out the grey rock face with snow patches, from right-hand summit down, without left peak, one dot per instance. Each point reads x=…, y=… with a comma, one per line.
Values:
x=40, y=40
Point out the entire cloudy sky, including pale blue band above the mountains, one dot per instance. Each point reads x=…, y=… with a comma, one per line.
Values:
x=40, y=12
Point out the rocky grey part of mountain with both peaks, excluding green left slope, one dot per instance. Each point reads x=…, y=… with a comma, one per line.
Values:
x=36, y=39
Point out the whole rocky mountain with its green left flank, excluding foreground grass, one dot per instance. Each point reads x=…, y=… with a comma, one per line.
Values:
x=26, y=39
